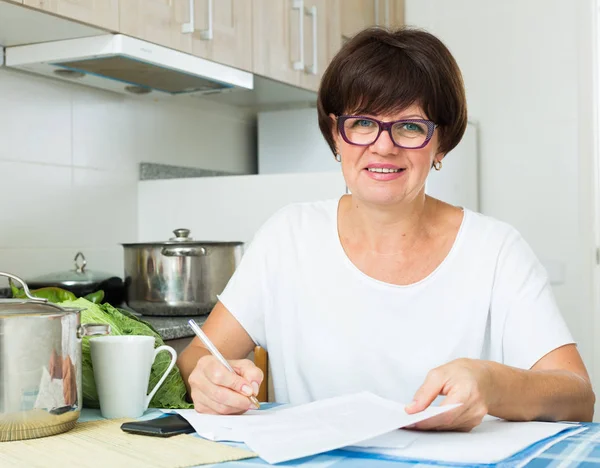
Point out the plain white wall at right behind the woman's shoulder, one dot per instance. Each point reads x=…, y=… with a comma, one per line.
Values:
x=528, y=72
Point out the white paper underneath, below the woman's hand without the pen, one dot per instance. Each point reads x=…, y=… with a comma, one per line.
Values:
x=492, y=441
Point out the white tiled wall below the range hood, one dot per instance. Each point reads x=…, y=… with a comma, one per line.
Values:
x=69, y=160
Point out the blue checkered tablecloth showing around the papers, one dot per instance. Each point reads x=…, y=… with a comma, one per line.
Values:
x=579, y=450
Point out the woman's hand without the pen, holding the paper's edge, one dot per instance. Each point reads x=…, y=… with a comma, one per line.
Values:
x=466, y=381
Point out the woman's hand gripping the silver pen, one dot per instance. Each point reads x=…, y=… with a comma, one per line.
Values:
x=216, y=390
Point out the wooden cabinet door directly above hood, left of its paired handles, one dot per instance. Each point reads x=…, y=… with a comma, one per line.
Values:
x=159, y=21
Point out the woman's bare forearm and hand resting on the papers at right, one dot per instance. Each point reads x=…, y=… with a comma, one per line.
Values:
x=556, y=388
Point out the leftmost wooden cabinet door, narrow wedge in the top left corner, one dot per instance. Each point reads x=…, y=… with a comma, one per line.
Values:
x=102, y=13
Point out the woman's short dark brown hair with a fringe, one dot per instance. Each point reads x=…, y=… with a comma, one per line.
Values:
x=385, y=71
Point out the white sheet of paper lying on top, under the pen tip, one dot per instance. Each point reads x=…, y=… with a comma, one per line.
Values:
x=303, y=430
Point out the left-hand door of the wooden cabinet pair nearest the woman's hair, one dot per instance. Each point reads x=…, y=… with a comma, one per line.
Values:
x=276, y=39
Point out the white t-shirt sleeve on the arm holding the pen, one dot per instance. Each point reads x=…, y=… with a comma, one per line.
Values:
x=246, y=295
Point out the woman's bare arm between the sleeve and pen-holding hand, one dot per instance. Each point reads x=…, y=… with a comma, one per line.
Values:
x=227, y=335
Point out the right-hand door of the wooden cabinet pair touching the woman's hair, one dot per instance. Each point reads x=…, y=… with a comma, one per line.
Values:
x=322, y=38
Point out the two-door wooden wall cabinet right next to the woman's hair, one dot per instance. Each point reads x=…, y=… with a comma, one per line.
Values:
x=294, y=40
